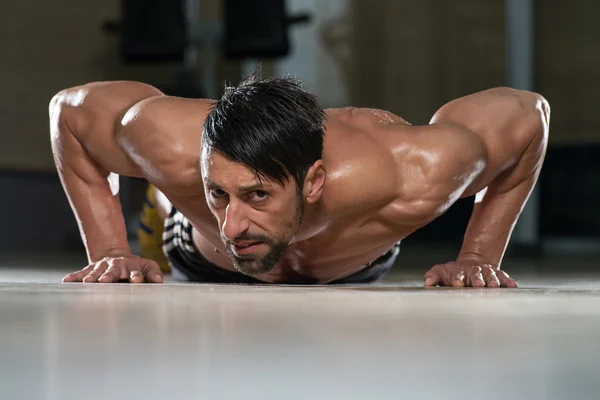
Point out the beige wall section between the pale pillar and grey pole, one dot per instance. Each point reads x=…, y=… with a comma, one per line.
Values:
x=412, y=56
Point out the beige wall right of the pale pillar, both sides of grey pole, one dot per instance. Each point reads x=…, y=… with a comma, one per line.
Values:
x=412, y=56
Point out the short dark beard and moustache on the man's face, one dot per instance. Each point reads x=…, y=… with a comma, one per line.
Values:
x=277, y=244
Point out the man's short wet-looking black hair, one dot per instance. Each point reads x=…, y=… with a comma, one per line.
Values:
x=271, y=125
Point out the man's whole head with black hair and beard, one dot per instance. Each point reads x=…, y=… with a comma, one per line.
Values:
x=261, y=163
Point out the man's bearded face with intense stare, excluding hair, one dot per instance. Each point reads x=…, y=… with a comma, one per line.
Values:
x=257, y=221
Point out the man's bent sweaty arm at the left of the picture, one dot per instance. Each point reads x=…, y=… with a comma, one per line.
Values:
x=83, y=124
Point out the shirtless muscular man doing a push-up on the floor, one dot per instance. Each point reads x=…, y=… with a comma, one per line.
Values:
x=265, y=186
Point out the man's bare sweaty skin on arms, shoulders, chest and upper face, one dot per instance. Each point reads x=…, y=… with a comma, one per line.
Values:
x=381, y=180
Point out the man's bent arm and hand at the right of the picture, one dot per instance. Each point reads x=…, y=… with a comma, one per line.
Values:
x=520, y=135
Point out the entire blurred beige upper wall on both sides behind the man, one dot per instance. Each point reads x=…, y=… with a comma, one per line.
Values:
x=406, y=56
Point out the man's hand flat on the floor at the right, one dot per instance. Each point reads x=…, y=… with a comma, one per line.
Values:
x=468, y=273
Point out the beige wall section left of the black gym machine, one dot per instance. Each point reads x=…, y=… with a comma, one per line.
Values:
x=53, y=45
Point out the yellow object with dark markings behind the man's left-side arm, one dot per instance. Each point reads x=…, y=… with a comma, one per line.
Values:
x=150, y=231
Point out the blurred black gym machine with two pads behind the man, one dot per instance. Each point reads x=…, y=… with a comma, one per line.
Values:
x=159, y=31
